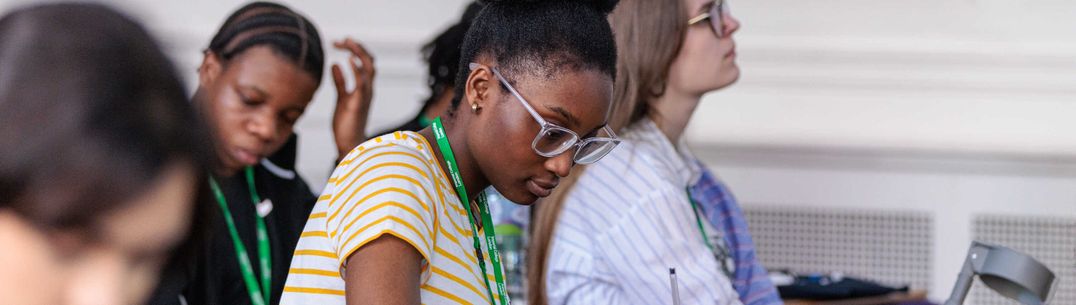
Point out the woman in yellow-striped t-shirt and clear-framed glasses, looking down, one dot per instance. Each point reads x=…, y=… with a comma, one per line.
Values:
x=397, y=224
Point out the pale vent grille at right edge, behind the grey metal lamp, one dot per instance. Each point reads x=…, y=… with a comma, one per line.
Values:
x=1052, y=241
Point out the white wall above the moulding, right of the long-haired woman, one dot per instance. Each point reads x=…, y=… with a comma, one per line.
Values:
x=981, y=77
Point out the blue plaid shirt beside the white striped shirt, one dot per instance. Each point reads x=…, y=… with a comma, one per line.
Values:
x=720, y=209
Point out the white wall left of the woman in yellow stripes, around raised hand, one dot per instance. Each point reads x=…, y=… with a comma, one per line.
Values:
x=393, y=31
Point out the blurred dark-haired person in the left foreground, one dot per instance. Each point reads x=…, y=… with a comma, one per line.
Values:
x=101, y=158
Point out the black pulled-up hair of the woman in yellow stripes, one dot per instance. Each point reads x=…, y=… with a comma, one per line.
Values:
x=542, y=38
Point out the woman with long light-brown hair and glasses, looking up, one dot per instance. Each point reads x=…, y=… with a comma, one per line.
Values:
x=614, y=234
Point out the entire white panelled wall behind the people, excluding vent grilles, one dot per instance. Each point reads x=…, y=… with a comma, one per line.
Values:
x=952, y=107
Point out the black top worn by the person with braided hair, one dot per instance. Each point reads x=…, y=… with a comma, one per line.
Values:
x=214, y=276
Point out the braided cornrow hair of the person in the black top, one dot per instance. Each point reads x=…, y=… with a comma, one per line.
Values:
x=286, y=32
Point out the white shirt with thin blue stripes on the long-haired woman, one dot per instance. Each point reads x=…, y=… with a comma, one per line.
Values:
x=627, y=223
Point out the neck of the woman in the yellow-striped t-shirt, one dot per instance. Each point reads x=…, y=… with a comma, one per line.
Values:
x=473, y=178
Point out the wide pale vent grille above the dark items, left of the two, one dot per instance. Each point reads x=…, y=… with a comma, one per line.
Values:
x=888, y=247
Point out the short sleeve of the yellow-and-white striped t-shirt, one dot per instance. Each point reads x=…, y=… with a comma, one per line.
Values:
x=385, y=190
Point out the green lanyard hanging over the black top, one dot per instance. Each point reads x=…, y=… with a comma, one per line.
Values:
x=259, y=296
